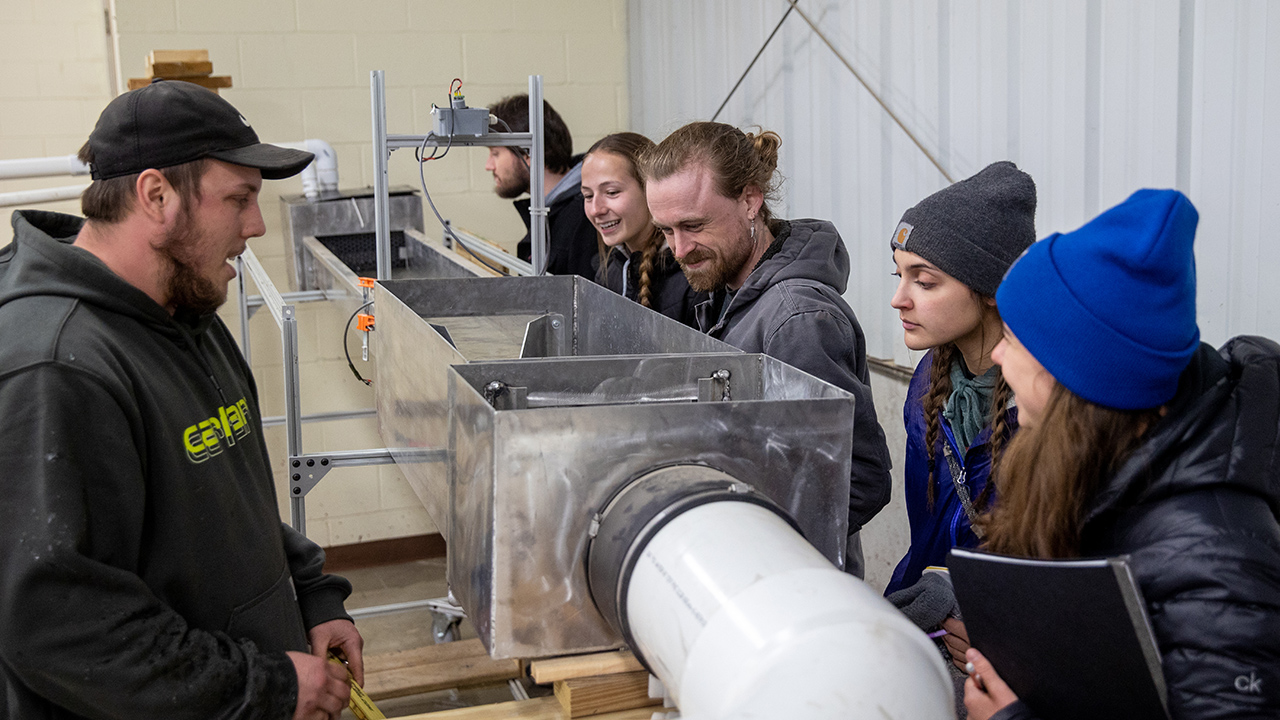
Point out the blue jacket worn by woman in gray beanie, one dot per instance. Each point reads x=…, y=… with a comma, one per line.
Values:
x=945, y=526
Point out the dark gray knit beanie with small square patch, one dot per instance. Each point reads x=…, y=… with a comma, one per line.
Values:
x=976, y=229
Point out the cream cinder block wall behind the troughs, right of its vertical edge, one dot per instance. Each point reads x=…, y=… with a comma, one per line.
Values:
x=301, y=71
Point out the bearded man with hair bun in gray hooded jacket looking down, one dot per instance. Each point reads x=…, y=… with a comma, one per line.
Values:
x=776, y=285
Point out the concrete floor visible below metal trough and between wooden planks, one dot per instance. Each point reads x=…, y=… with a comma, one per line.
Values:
x=422, y=580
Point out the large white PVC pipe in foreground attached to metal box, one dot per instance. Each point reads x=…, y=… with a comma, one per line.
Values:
x=739, y=617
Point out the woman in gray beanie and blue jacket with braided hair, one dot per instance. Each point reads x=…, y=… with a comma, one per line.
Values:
x=950, y=252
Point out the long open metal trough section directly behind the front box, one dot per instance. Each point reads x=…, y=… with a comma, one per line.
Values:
x=492, y=320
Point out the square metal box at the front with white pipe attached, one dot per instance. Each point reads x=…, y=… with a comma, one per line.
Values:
x=531, y=475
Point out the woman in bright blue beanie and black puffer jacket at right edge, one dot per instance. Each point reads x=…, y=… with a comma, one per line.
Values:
x=1140, y=440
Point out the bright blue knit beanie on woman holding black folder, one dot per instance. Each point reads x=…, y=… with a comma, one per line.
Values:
x=1110, y=309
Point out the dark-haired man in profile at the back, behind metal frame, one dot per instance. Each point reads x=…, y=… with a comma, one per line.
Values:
x=570, y=236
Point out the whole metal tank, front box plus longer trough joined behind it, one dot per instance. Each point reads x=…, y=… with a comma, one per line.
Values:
x=554, y=394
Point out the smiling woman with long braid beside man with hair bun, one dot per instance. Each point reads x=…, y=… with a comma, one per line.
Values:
x=634, y=259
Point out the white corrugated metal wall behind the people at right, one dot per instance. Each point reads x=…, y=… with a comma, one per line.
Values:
x=1094, y=99
